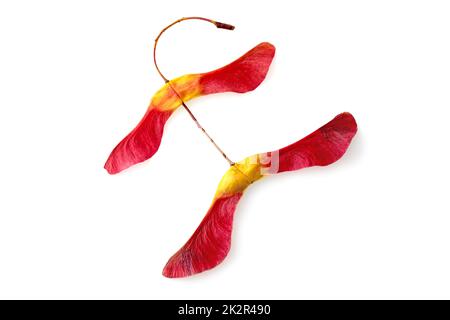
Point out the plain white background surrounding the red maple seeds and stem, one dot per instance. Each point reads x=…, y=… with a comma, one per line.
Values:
x=77, y=76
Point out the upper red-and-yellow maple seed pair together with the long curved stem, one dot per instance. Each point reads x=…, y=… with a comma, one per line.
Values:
x=242, y=75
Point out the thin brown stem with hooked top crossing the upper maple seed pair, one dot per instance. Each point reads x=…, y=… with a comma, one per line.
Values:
x=218, y=25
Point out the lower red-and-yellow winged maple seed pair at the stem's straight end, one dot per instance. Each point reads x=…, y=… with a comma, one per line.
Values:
x=211, y=242
